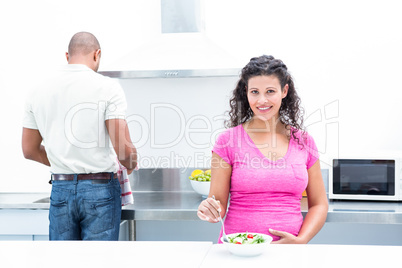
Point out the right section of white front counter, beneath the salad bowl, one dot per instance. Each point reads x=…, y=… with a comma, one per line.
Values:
x=308, y=256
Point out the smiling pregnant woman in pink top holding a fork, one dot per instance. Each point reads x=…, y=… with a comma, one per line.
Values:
x=265, y=160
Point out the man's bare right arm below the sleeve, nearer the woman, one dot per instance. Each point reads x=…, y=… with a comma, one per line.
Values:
x=121, y=141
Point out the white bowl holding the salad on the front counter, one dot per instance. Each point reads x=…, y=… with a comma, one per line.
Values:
x=248, y=250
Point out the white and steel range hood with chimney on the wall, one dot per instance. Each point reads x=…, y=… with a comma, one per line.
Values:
x=180, y=49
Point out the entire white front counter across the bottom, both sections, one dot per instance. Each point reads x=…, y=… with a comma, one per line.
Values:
x=45, y=254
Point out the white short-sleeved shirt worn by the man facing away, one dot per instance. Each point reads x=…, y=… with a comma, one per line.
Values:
x=70, y=110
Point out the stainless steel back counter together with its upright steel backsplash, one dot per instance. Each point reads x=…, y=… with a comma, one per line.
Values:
x=166, y=194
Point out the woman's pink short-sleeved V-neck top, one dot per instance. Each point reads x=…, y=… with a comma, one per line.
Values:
x=263, y=193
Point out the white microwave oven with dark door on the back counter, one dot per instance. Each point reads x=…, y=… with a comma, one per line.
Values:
x=366, y=179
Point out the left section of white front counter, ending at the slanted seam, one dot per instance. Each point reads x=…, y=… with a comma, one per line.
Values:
x=68, y=254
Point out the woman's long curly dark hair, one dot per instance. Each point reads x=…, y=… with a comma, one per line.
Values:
x=290, y=112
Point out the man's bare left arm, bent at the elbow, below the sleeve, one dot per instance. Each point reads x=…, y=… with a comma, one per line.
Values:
x=32, y=148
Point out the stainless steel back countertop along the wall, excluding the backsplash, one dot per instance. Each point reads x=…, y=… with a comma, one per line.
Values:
x=183, y=206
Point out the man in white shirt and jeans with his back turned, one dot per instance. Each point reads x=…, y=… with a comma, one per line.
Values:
x=77, y=113
